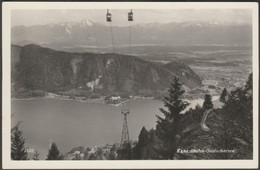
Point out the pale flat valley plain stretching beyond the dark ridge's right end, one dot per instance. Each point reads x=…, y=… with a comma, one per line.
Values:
x=225, y=66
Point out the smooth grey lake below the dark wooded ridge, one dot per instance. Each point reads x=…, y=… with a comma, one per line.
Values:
x=71, y=123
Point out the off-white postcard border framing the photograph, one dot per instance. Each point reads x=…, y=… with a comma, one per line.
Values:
x=155, y=164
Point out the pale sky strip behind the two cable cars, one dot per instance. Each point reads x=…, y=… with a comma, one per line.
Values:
x=119, y=16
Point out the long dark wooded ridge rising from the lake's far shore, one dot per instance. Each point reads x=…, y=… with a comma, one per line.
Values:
x=38, y=68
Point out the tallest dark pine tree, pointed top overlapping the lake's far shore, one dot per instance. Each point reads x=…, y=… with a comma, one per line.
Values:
x=167, y=128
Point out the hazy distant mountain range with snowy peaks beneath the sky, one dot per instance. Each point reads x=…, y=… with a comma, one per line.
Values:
x=87, y=34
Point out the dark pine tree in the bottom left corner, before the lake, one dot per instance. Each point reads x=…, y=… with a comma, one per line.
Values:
x=18, y=151
